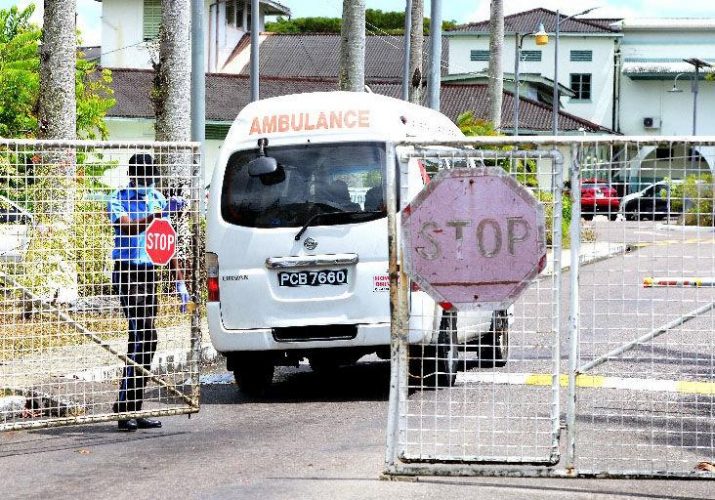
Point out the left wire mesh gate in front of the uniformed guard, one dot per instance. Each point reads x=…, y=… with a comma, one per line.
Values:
x=63, y=332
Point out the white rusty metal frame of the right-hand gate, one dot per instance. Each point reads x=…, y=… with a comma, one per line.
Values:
x=394, y=465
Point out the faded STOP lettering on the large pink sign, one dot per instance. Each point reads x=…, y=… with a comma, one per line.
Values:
x=486, y=235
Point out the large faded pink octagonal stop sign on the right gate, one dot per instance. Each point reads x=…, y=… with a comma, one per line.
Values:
x=474, y=238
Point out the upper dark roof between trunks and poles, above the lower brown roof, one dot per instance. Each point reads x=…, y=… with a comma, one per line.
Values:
x=317, y=55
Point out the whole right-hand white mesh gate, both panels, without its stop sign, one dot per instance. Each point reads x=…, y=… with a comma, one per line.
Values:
x=605, y=364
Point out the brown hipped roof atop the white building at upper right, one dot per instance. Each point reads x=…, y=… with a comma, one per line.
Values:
x=528, y=21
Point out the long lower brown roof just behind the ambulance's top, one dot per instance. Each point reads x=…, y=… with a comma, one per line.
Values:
x=227, y=94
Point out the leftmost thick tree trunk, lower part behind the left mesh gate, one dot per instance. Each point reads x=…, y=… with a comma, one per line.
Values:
x=52, y=259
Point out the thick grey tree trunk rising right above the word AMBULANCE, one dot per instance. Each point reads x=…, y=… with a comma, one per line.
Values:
x=351, y=75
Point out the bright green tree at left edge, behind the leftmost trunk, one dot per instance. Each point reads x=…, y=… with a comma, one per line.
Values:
x=19, y=81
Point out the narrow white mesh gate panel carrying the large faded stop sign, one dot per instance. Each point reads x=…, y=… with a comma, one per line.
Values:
x=479, y=420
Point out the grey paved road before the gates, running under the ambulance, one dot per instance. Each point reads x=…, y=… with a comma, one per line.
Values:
x=313, y=438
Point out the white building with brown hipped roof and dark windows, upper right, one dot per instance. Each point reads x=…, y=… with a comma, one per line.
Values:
x=587, y=57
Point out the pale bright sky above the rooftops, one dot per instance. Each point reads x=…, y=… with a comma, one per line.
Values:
x=462, y=11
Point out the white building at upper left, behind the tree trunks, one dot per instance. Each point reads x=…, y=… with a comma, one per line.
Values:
x=130, y=30
